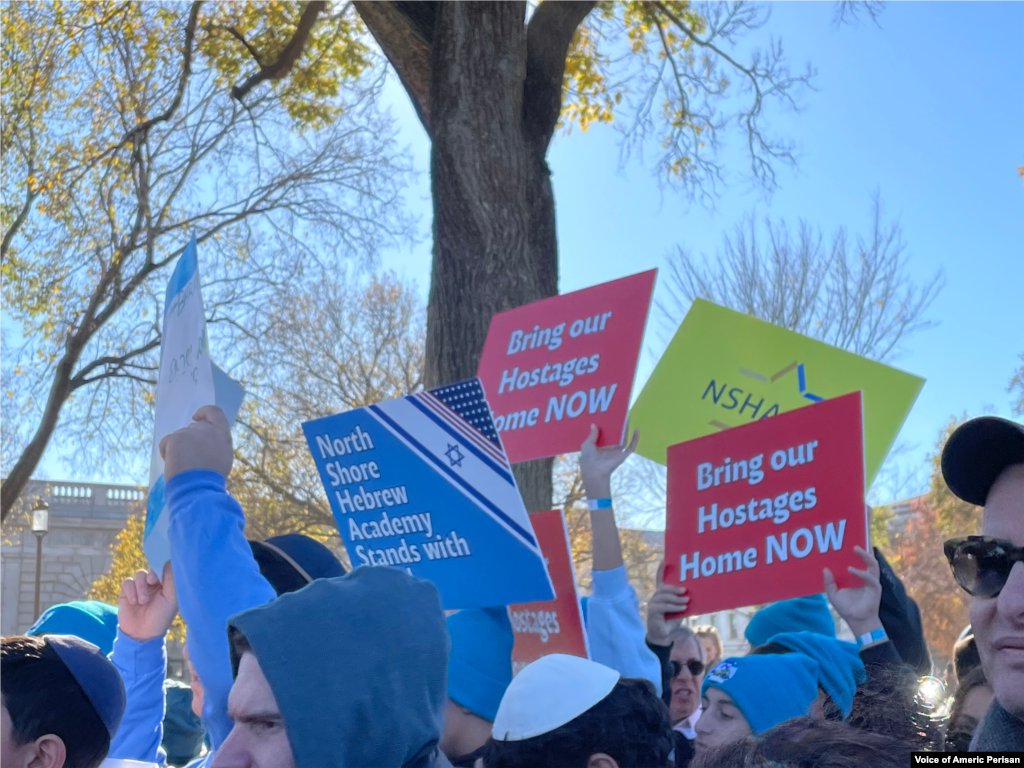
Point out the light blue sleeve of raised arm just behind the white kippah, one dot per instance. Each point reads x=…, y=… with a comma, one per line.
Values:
x=615, y=630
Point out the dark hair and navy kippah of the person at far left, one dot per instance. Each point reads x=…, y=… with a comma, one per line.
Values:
x=42, y=698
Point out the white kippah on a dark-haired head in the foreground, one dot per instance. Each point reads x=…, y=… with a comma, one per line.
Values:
x=549, y=694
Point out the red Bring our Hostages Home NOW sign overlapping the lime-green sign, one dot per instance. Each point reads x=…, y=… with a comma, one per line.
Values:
x=757, y=511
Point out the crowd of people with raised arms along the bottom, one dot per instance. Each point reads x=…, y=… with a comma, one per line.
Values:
x=295, y=663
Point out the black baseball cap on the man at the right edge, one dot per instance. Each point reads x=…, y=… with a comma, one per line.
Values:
x=977, y=453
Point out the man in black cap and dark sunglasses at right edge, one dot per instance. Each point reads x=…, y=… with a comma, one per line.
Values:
x=984, y=464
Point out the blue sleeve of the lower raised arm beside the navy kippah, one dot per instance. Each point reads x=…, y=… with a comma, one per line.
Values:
x=143, y=667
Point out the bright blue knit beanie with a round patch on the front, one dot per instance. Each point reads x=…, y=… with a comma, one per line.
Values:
x=770, y=689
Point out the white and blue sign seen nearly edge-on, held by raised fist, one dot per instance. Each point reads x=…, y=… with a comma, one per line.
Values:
x=187, y=381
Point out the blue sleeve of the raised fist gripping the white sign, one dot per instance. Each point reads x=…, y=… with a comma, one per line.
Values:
x=216, y=577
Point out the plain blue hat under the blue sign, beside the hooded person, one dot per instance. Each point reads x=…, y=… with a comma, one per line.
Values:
x=481, y=662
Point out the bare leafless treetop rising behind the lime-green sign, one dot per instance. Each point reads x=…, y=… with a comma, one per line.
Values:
x=858, y=297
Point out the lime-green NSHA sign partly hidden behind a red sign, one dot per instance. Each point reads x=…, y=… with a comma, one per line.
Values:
x=723, y=369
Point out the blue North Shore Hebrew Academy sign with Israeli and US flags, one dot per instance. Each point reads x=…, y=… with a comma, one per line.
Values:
x=421, y=483
